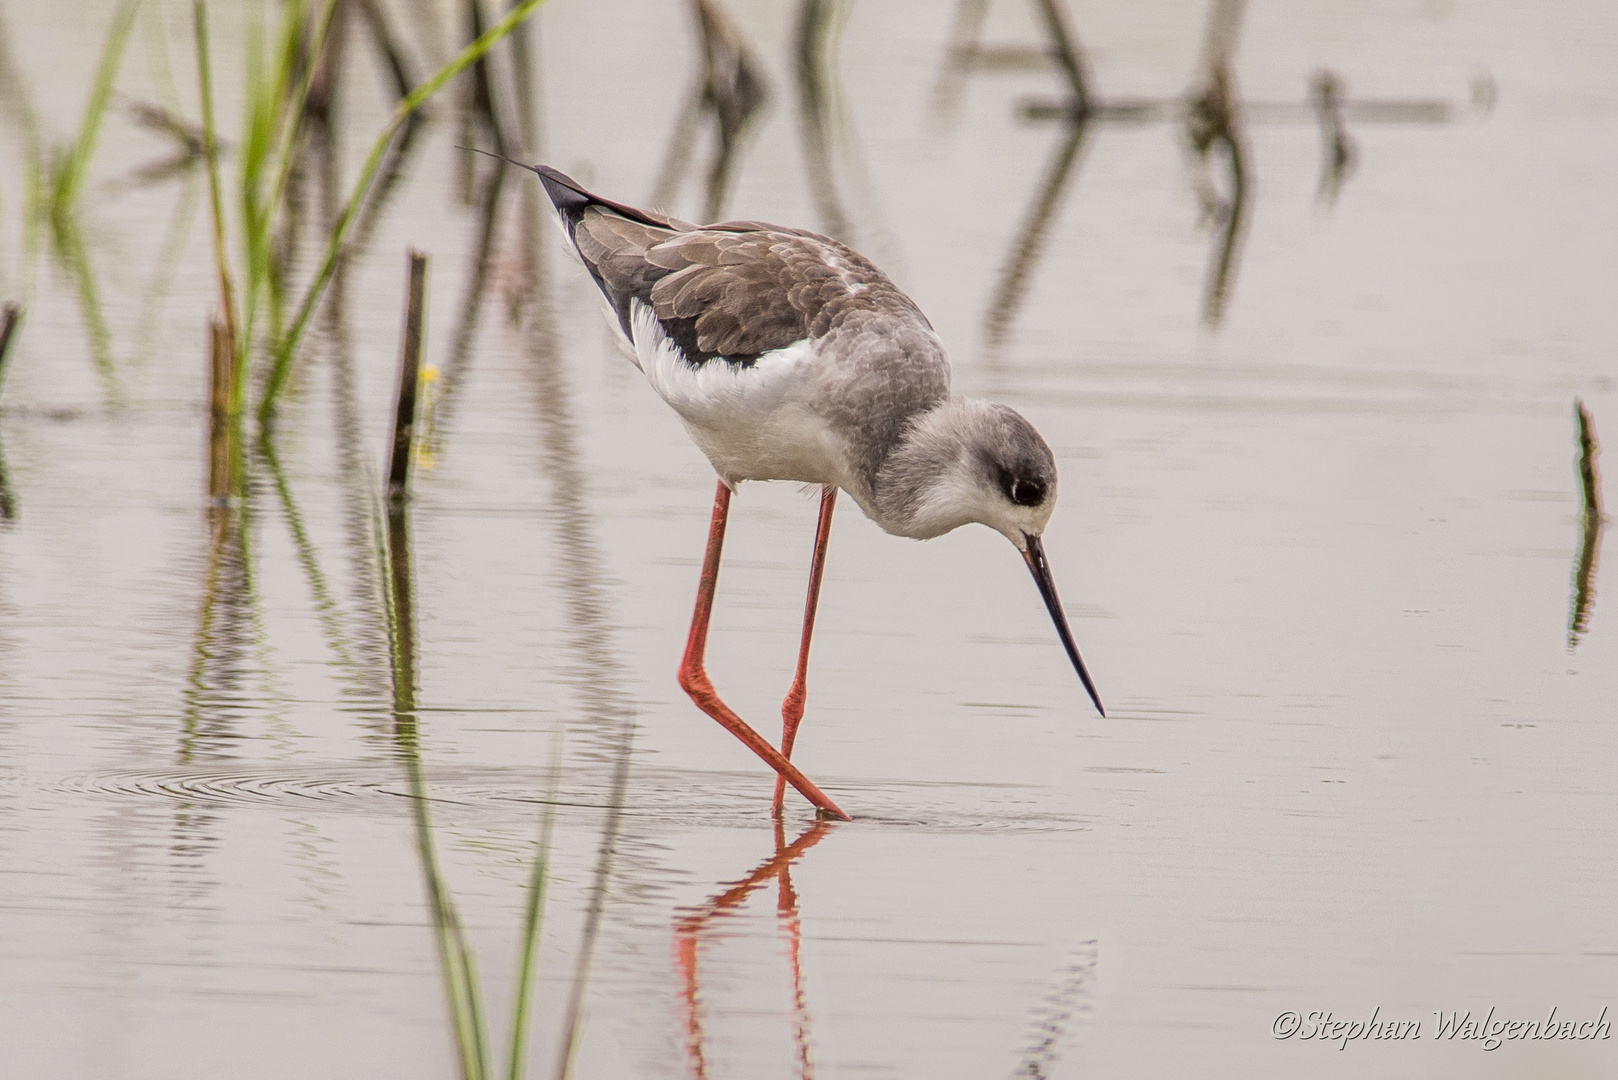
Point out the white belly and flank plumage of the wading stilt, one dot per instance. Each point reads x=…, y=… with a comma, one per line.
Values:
x=753, y=422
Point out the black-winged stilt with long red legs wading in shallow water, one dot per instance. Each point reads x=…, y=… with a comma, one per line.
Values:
x=790, y=357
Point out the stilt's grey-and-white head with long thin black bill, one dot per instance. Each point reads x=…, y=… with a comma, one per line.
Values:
x=968, y=462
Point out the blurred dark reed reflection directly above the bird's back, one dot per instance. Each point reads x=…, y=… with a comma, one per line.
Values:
x=732, y=93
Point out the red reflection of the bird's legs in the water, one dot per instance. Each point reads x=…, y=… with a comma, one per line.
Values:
x=692, y=927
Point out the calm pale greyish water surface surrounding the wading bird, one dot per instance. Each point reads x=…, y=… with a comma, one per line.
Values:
x=1324, y=559
